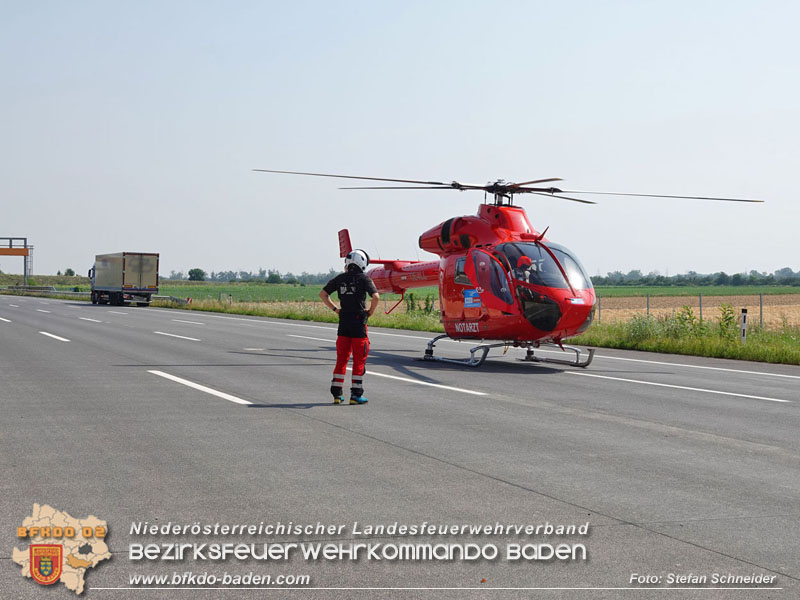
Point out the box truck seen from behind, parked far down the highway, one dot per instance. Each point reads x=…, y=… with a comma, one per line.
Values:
x=124, y=277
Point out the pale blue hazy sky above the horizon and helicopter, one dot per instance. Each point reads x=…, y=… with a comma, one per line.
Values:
x=135, y=125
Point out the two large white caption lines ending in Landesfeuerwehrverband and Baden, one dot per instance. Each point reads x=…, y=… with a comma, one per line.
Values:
x=276, y=550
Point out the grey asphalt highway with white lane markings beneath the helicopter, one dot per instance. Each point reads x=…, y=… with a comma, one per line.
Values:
x=683, y=467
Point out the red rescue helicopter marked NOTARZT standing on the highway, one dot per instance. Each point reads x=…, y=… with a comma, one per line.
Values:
x=499, y=279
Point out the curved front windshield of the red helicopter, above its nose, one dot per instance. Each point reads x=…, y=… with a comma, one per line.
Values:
x=532, y=263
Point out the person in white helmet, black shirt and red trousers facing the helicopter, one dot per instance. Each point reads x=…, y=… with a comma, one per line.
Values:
x=353, y=286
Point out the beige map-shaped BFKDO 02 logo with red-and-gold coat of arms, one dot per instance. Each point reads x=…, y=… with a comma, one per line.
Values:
x=62, y=547
